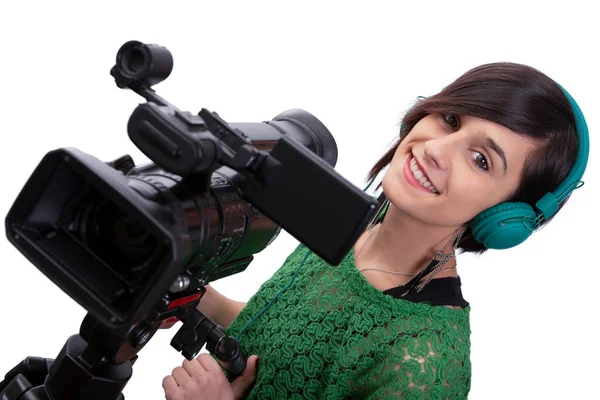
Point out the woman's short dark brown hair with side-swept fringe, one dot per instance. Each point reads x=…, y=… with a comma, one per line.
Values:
x=520, y=98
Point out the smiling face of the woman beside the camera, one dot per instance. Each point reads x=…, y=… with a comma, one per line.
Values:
x=450, y=168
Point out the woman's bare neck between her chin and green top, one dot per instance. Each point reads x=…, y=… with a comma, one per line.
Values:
x=401, y=244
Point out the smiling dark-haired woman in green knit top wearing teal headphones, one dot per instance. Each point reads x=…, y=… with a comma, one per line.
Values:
x=390, y=321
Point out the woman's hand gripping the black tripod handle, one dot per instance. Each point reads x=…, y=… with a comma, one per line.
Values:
x=202, y=378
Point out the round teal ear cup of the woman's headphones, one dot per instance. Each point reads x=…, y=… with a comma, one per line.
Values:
x=504, y=225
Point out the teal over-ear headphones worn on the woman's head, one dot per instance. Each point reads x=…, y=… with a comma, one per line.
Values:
x=509, y=224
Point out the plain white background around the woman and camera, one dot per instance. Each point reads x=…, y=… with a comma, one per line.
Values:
x=356, y=66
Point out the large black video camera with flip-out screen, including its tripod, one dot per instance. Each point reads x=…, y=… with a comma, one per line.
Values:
x=135, y=245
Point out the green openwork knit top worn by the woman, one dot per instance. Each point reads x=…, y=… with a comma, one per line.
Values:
x=332, y=335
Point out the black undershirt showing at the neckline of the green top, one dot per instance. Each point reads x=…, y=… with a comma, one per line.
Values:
x=438, y=292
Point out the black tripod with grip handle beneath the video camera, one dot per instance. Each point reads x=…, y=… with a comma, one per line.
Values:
x=97, y=363
